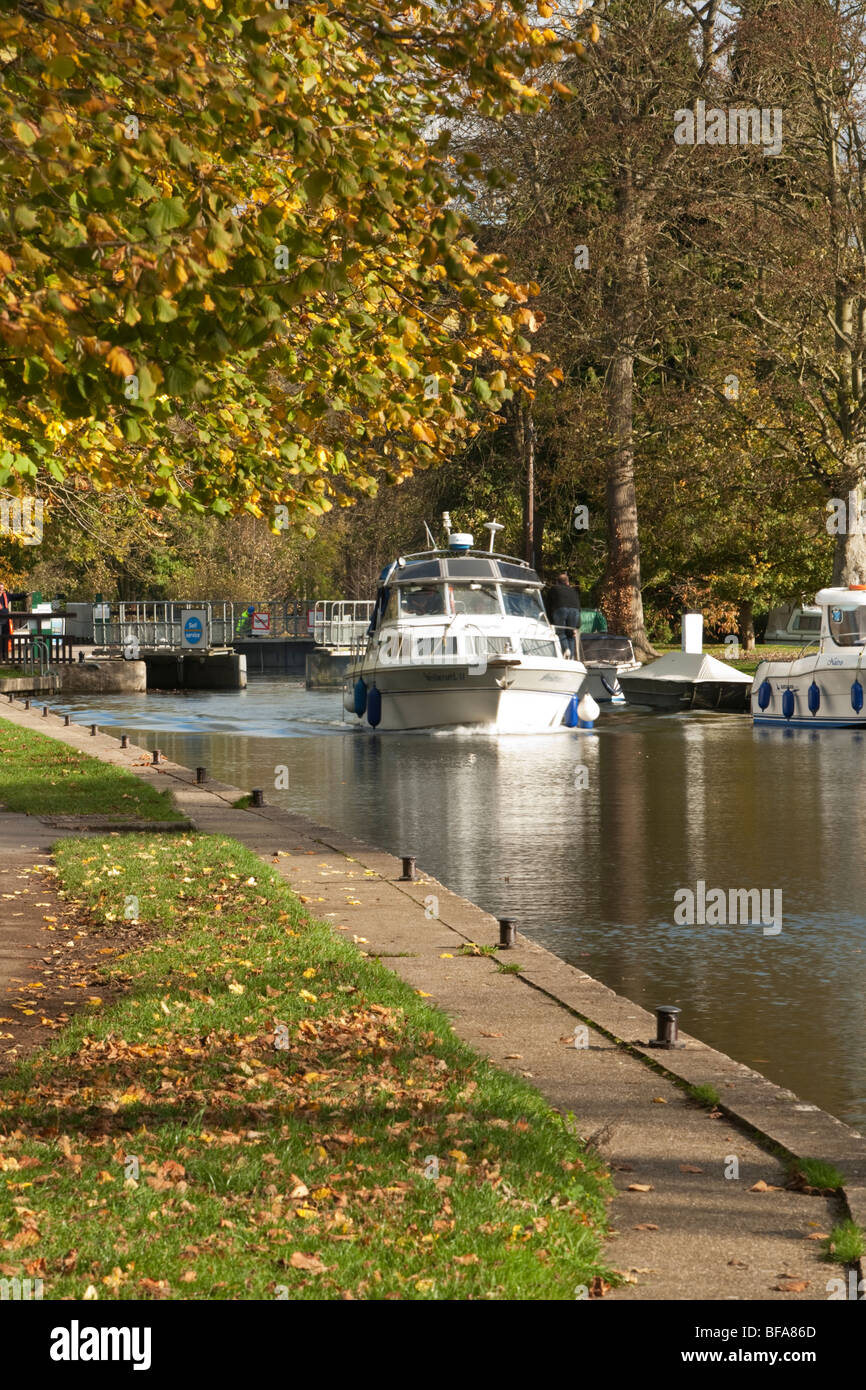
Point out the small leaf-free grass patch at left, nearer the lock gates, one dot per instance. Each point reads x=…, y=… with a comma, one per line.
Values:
x=41, y=776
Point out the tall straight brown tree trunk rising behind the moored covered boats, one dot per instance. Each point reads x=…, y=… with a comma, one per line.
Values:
x=622, y=583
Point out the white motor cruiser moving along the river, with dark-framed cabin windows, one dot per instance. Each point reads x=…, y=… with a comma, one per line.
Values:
x=459, y=637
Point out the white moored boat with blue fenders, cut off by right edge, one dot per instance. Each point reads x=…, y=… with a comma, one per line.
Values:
x=822, y=687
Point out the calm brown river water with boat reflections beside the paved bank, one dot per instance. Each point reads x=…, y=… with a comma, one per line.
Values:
x=587, y=837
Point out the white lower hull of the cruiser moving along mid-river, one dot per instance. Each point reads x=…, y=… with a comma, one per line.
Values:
x=507, y=697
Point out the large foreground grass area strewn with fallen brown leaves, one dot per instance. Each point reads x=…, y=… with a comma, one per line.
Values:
x=270, y=1114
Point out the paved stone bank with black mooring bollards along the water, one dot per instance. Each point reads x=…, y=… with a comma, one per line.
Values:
x=703, y=1210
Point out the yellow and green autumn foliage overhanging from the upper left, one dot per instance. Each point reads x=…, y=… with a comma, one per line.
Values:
x=234, y=269
